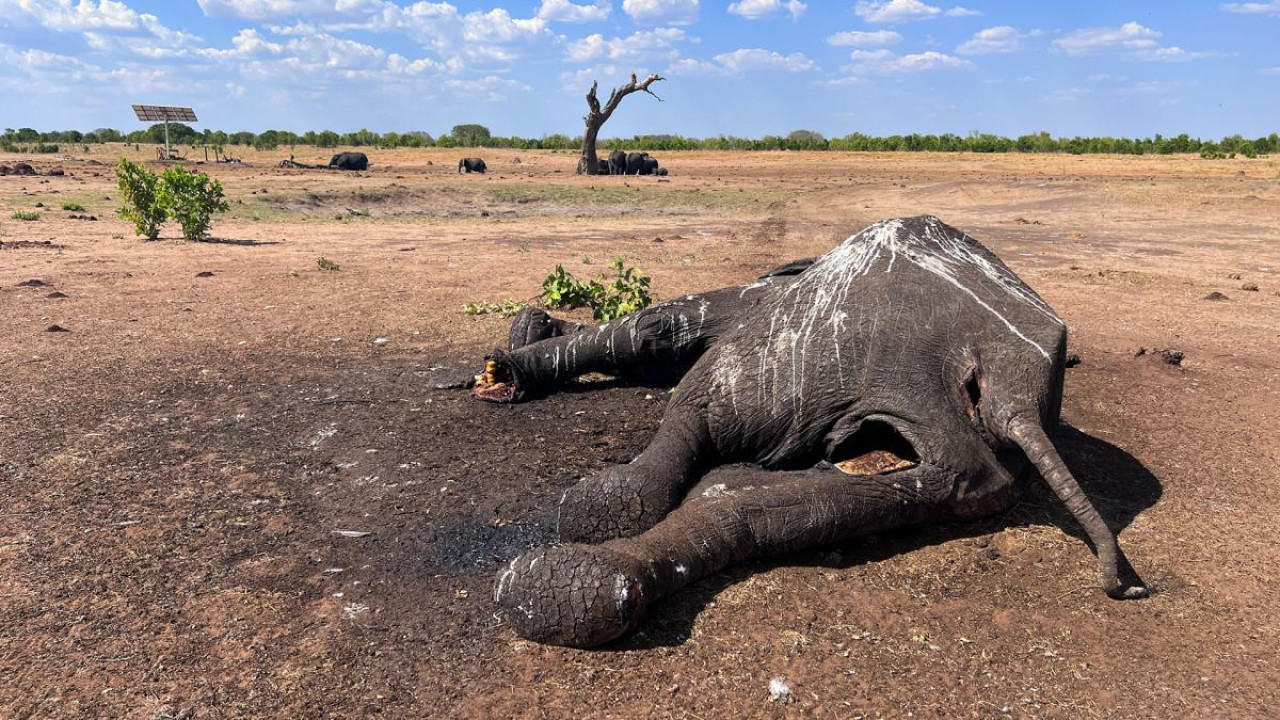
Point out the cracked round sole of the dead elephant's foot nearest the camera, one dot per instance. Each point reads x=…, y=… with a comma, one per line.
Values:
x=574, y=595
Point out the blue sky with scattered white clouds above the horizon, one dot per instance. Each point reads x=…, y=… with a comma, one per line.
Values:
x=733, y=67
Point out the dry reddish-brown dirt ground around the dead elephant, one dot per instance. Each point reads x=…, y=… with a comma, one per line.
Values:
x=175, y=468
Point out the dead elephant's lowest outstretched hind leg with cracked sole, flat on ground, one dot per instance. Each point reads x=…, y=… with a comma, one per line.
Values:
x=582, y=596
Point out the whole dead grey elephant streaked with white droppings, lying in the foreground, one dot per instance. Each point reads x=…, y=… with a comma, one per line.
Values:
x=911, y=339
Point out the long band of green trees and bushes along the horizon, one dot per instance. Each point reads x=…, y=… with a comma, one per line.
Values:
x=479, y=136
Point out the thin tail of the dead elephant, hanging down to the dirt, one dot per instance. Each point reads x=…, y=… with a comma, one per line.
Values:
x=1031, y=438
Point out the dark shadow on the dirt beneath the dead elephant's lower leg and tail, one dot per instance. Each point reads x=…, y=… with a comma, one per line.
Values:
x=1119, y=485
